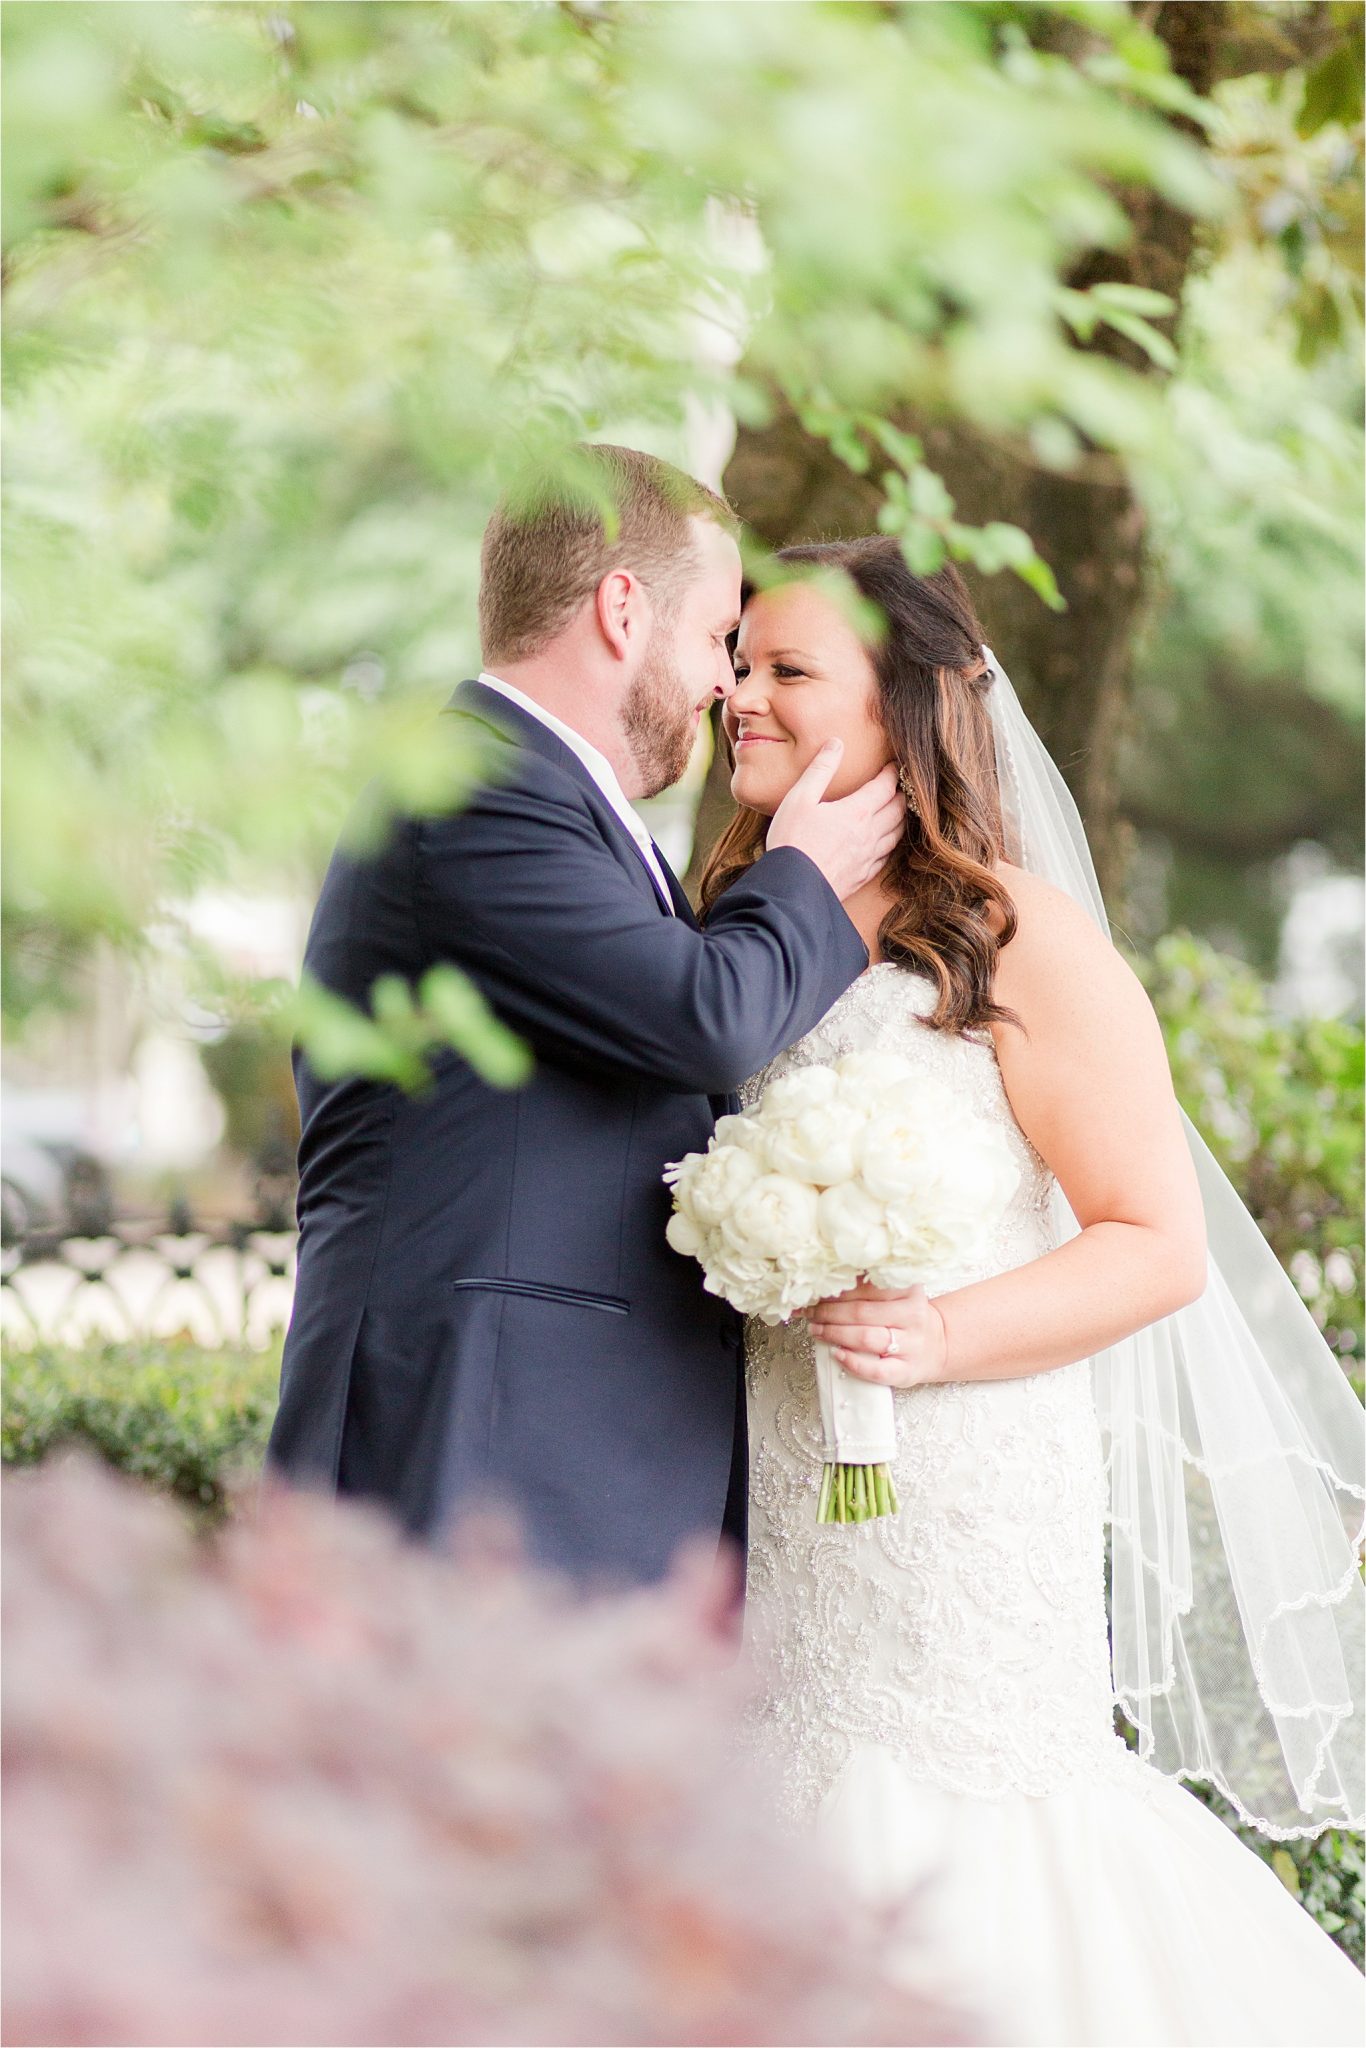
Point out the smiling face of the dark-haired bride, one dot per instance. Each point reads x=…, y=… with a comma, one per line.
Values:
x=802, y=679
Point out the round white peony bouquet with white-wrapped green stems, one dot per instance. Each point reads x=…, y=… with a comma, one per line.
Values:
x=839, y=1175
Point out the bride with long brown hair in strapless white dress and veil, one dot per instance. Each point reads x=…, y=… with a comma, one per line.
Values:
x=939, y=1687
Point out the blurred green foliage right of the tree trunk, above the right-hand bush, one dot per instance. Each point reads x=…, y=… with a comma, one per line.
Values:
x=1246, y=724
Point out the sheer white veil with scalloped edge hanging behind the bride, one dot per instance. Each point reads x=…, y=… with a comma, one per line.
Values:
x=1234, y=1451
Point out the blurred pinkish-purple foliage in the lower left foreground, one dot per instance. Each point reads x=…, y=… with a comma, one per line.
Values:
x=308, y=1783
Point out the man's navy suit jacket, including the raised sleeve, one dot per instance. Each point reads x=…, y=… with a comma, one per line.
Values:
x=486, y=1304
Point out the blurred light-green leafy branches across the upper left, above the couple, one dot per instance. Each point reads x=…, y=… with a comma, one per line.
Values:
x=294, y=292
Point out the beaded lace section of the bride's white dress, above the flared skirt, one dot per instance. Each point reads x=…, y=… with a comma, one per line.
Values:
x=968, y=1633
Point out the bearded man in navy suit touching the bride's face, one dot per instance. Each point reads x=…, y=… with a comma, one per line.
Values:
x=486, y=1304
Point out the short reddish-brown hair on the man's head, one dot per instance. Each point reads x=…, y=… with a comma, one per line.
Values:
x=550, y=546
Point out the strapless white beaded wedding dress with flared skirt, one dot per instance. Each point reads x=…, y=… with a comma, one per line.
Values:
x=935, y=1687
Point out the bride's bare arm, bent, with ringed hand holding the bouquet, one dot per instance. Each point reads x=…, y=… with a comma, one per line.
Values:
x=1093, y=1091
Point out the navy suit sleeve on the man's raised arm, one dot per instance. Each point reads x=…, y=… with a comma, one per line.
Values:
x=523, y=894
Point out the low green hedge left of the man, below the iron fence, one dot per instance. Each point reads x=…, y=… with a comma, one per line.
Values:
x=173, y=1414
